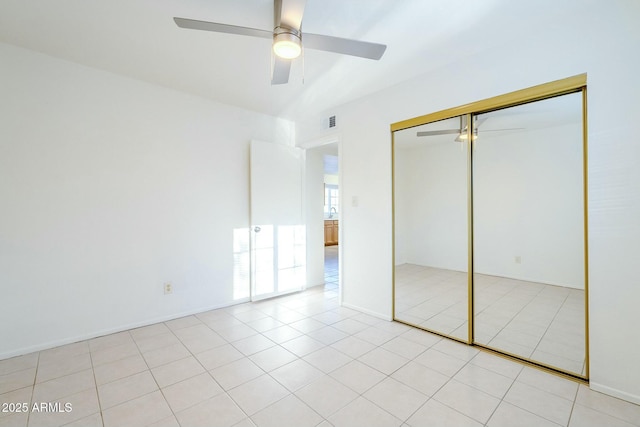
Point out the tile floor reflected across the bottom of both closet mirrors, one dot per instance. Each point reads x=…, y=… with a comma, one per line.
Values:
x=533, y=320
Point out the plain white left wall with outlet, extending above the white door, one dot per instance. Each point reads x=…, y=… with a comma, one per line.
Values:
x=111, y=187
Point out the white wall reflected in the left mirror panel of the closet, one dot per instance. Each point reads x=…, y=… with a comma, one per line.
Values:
x=431, y=205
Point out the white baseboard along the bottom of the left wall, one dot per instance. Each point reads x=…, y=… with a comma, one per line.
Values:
x=70, y=340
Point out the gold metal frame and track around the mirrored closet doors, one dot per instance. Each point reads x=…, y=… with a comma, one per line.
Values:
x=552, y=89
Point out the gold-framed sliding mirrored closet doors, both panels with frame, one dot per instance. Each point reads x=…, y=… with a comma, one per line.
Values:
x=490, y=224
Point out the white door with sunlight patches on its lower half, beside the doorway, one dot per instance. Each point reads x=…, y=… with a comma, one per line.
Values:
x=278, y=231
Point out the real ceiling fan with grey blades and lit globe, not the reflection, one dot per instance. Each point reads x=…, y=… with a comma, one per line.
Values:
x=288, y=38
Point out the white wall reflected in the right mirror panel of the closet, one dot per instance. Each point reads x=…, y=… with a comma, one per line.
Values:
x=528, y=203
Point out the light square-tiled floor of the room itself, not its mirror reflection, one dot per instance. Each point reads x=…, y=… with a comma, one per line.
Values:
x=299, y=360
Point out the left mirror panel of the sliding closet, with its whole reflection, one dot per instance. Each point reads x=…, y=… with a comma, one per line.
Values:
x=430, y=227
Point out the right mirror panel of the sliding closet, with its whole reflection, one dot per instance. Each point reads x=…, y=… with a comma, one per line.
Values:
x=528, y=208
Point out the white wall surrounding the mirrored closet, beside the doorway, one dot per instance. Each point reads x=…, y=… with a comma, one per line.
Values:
x=598, y=38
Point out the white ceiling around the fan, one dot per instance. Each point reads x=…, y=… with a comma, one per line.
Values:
x=138, y=38
